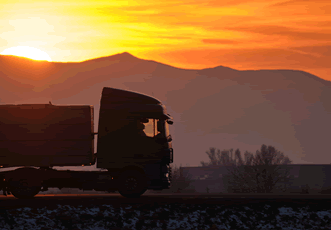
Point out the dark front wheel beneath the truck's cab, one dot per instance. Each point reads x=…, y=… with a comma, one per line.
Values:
x=132, y=184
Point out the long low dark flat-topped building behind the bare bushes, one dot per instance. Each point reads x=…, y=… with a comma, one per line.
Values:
x=210, y=179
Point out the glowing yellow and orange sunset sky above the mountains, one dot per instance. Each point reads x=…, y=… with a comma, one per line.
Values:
x=241, y=34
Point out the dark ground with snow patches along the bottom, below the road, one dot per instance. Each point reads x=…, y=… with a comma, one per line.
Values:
x=168, y=216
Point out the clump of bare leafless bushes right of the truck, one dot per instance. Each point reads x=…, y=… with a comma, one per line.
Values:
x=259, y=173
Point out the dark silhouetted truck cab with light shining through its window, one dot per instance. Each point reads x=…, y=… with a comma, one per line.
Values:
x=134, y=134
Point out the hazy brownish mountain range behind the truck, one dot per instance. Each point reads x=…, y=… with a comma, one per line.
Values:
x=217, y=107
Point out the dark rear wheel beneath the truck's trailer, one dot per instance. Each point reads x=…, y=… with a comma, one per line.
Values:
x=23, y=189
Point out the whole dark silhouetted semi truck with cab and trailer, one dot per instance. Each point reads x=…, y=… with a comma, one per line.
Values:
x=133, y=154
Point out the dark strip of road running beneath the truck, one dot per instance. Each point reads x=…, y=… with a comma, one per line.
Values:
x=51, y=200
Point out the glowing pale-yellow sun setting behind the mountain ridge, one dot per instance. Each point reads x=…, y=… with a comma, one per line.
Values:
x=28, y=52
